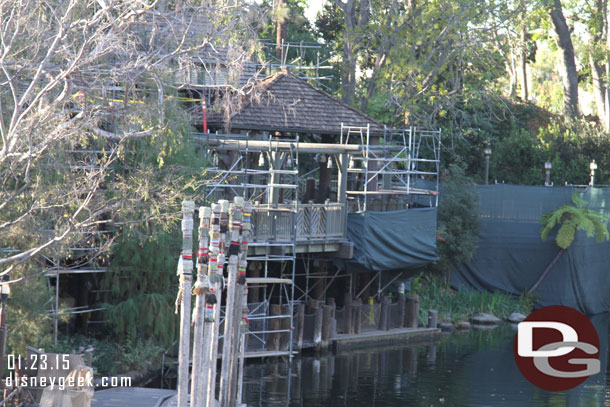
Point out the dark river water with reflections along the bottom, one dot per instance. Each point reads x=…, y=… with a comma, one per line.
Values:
x=467, y=369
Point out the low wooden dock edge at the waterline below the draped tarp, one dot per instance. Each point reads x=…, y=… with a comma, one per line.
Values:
x=366, y=339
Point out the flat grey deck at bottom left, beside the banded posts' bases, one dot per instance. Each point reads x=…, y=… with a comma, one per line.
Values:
x=131, y=397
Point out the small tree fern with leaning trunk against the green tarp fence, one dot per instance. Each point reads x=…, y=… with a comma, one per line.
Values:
x=569, y=219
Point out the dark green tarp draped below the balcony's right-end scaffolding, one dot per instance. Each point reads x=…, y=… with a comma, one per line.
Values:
x=395, y=240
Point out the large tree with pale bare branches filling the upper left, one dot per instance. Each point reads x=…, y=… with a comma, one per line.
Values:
x=88, y=144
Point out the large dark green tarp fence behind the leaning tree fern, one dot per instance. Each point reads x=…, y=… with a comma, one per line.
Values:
x=511, y=255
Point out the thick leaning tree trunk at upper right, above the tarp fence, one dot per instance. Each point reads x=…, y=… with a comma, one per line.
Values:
x=570, y=74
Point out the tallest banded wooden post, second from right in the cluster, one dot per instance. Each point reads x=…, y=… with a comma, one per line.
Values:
x=232, y=308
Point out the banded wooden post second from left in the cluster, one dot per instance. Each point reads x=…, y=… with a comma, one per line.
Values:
x=200, y=290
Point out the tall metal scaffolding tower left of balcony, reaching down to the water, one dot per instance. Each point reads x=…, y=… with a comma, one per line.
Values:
x=275, y=181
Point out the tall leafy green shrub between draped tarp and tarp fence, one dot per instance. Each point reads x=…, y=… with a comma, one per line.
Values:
x=458, y=219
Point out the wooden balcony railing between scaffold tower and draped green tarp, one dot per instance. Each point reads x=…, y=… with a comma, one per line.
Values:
x=312, y=221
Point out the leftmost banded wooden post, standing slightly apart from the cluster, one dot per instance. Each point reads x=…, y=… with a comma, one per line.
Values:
x=183, y=302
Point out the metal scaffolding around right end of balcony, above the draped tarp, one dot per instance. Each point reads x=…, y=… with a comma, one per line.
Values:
x=401, y=162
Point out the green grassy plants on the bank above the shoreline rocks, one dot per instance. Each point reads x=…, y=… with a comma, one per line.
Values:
x=461, y=305
